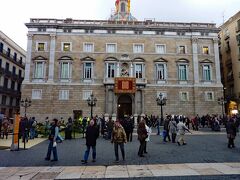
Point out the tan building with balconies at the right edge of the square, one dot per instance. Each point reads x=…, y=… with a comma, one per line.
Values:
x=229, y=47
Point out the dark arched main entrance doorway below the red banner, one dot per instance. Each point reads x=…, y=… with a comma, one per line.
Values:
x=124, y=106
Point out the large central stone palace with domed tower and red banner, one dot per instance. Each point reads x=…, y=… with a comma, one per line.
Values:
x=69, y=59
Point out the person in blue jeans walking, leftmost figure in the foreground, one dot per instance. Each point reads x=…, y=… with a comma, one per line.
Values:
x=52, y=147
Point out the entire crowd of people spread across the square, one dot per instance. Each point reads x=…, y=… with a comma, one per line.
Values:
x=120, y=131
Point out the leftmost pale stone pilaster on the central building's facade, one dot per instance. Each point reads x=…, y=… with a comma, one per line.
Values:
x=28, y=58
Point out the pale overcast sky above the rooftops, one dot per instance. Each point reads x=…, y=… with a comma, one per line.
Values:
x=14, y=13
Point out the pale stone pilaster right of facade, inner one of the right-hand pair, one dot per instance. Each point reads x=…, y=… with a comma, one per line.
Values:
x=195, y=59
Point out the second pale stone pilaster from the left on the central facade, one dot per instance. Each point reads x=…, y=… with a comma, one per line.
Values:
x=52, y=58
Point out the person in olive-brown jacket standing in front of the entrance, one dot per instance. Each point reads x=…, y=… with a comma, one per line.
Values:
x=119, y=137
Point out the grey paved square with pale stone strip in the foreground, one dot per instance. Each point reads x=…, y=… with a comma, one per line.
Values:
x=163, y=159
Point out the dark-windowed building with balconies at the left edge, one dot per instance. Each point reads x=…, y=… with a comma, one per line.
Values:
x=12, y=58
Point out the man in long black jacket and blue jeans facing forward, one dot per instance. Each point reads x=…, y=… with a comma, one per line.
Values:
x=92, y=134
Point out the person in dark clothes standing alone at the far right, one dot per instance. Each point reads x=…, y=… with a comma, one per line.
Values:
x=231, y=129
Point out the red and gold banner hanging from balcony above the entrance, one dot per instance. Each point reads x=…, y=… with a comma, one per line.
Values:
x=125, y=85
